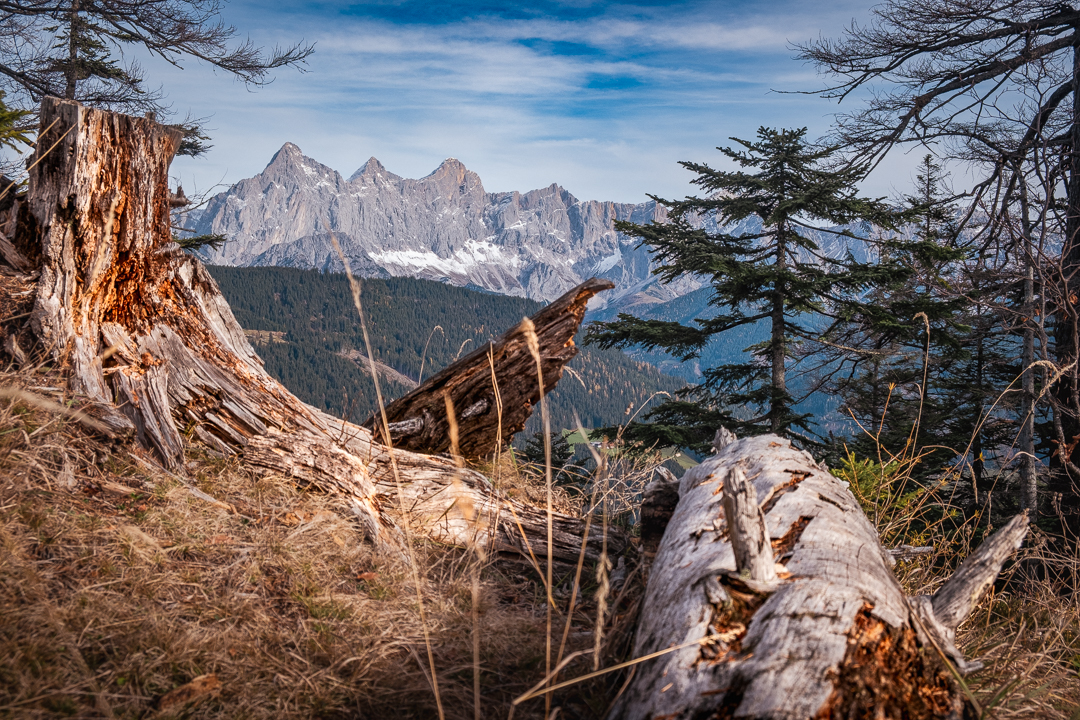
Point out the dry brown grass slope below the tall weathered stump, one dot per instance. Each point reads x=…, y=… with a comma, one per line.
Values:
x=118, y=586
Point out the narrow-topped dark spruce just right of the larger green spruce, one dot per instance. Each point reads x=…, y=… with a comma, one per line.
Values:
x=894, y=371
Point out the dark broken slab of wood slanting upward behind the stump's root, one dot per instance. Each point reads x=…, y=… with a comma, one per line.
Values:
x=495, y=388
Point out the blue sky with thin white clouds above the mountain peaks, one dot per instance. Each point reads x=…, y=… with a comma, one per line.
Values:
x=602, y=98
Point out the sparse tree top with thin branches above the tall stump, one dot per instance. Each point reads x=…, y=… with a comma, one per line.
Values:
x=75, y=49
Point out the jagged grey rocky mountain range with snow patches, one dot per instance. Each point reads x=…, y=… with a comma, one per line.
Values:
x=443, y=227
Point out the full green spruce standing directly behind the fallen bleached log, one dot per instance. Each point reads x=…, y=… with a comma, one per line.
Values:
x=776, y=276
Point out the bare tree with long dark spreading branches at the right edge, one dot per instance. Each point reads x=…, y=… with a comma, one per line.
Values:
x=993, y=83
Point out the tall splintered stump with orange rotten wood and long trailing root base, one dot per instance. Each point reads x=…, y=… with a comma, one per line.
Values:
x=152, y=348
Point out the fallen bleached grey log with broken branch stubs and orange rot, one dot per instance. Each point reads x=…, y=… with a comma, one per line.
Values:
x=812, y=623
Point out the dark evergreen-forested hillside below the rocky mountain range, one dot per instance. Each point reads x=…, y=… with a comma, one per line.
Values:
x=305, y=328
